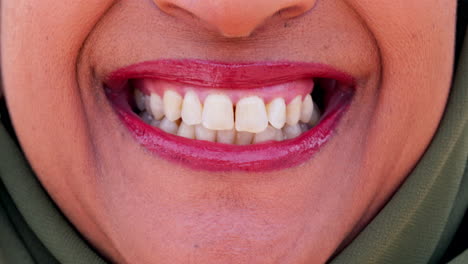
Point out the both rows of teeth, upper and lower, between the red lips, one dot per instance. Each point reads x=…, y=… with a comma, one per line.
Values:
x=254, y=122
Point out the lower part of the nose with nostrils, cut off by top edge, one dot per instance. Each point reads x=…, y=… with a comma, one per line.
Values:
x=235, y=18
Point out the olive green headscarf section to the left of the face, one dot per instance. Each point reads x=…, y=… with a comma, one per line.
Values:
x=32, y=229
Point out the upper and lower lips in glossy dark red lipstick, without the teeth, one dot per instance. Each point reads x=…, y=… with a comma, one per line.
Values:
x=210, y=156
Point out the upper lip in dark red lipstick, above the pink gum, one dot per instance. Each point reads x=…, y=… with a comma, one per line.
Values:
x=213, y=74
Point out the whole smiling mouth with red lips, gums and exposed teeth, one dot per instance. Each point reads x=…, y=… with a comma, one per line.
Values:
x=230, y=117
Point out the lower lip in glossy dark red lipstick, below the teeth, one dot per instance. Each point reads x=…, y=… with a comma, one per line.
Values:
x=210, y=156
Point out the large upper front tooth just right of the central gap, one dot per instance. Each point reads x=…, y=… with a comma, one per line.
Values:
x=251, y=115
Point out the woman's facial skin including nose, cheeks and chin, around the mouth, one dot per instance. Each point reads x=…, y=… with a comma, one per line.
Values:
x=137, y=208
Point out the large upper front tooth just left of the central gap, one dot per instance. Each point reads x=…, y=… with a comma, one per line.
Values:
x=218, y=112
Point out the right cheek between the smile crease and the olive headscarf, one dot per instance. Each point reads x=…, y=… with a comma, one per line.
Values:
x=415, y=43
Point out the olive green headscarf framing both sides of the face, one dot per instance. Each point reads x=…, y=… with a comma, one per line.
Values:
x=416, y=226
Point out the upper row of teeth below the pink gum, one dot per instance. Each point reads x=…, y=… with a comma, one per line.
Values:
x=250, y=114
